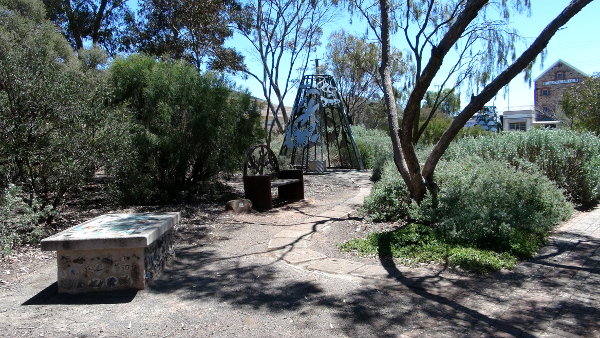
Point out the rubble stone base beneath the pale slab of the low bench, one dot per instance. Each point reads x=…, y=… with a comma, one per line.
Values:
x=109, y=269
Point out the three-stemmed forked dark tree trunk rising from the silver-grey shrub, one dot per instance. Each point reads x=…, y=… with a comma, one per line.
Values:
x=417, y=181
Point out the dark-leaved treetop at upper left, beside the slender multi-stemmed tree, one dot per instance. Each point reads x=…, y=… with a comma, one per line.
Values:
x=192, y=30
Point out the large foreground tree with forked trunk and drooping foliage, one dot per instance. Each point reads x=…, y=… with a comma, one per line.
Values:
x=486, y=53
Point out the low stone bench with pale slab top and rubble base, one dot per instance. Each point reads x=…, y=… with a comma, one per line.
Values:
x=113, y=251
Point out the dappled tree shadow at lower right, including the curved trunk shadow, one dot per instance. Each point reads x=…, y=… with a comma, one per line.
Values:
x=546, y=294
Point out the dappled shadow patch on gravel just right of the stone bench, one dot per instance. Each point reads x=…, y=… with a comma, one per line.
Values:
x=203, y=274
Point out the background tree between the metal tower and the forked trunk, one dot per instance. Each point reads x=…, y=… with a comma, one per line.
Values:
x=354, y=61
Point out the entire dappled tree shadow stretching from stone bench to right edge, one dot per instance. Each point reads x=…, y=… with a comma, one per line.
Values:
x=554, y=292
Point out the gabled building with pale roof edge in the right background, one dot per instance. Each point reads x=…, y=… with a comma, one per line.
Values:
x=550, y=85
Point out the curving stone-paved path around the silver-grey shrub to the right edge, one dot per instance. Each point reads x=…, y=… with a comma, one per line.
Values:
x=554, y=294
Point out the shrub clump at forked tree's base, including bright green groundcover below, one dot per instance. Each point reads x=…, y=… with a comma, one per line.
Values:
x=486, y=215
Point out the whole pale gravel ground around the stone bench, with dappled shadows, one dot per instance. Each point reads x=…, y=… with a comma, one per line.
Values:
x=226, y=281
